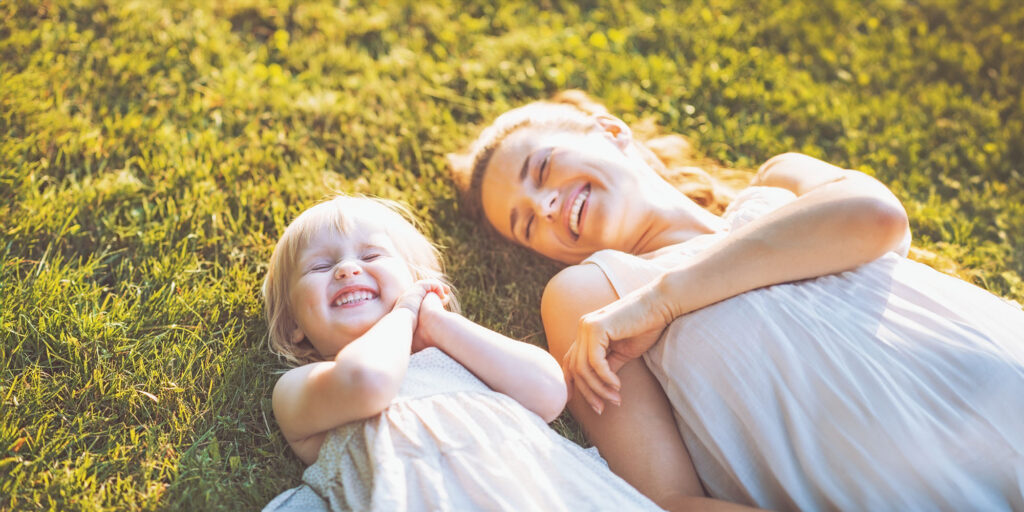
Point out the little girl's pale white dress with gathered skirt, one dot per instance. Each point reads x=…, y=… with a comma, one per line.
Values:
x=450, y=443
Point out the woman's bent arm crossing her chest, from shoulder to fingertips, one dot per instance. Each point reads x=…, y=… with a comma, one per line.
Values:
x=841, y=220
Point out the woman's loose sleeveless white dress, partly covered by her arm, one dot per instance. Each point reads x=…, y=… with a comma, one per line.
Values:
x=888, y=388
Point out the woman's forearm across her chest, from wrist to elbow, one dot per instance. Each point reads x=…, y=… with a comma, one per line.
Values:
x=837, y=227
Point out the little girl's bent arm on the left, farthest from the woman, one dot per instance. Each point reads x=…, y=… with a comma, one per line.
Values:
x=360, y=382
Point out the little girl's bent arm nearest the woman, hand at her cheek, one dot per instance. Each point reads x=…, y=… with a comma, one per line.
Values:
x=520, y=370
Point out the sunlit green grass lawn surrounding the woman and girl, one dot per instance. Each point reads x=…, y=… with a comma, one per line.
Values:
x=152, y=153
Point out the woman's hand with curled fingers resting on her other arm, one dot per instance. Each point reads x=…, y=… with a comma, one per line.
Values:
x=609, y=338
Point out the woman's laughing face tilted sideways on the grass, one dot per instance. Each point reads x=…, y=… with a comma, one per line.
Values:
x=566, y=195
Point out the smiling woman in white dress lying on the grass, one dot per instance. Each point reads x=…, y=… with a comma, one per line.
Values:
x=807, y=363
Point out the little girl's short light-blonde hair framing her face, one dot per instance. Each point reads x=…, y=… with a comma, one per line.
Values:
x=339, y=215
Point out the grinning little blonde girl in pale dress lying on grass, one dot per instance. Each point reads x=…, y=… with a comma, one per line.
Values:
x=401, y=405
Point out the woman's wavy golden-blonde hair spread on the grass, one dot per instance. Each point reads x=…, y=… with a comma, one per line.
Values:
x=671, y=156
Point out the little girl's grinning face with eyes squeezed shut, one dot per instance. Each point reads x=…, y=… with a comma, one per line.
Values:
x=344, y=284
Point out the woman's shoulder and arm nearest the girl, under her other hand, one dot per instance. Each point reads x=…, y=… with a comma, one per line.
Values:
x=638, y=439
